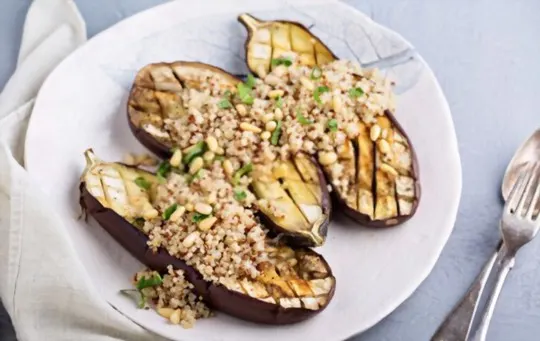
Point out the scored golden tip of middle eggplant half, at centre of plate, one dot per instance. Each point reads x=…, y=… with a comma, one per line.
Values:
x=296, y=200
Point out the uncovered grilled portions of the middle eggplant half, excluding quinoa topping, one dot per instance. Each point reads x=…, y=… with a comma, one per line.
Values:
x=294, y=194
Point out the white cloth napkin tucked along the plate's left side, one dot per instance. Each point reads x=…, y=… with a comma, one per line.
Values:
x=42, y=283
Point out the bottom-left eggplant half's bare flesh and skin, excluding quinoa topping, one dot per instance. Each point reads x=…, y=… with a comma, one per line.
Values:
x=292, y=286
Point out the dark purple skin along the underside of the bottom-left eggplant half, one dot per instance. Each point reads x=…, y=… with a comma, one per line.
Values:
x=216, y=296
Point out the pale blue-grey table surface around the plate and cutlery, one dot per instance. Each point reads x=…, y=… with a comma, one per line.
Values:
x=486, y=56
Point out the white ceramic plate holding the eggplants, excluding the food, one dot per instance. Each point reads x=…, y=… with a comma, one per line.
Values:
x=82, y=104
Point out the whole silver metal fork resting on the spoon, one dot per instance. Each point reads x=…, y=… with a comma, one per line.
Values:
x=519, y=225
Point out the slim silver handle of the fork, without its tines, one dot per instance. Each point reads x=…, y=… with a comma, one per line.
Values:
x=507, y=264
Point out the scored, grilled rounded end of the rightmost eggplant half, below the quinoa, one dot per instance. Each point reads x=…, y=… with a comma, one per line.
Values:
x=382, y=187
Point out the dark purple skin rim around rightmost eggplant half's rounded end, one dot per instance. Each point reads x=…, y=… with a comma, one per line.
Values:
x=364, y=219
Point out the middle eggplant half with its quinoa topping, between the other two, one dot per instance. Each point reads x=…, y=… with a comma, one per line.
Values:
x=203, y=111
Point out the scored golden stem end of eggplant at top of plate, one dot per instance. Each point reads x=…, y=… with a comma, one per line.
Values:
x=269, y=43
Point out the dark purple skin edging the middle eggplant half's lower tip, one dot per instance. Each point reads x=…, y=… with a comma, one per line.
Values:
x=295, y=239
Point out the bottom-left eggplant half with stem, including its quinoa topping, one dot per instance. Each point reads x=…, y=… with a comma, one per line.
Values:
x=195, y=225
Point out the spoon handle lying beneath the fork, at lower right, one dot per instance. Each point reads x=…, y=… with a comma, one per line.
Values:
x=457, y=325
